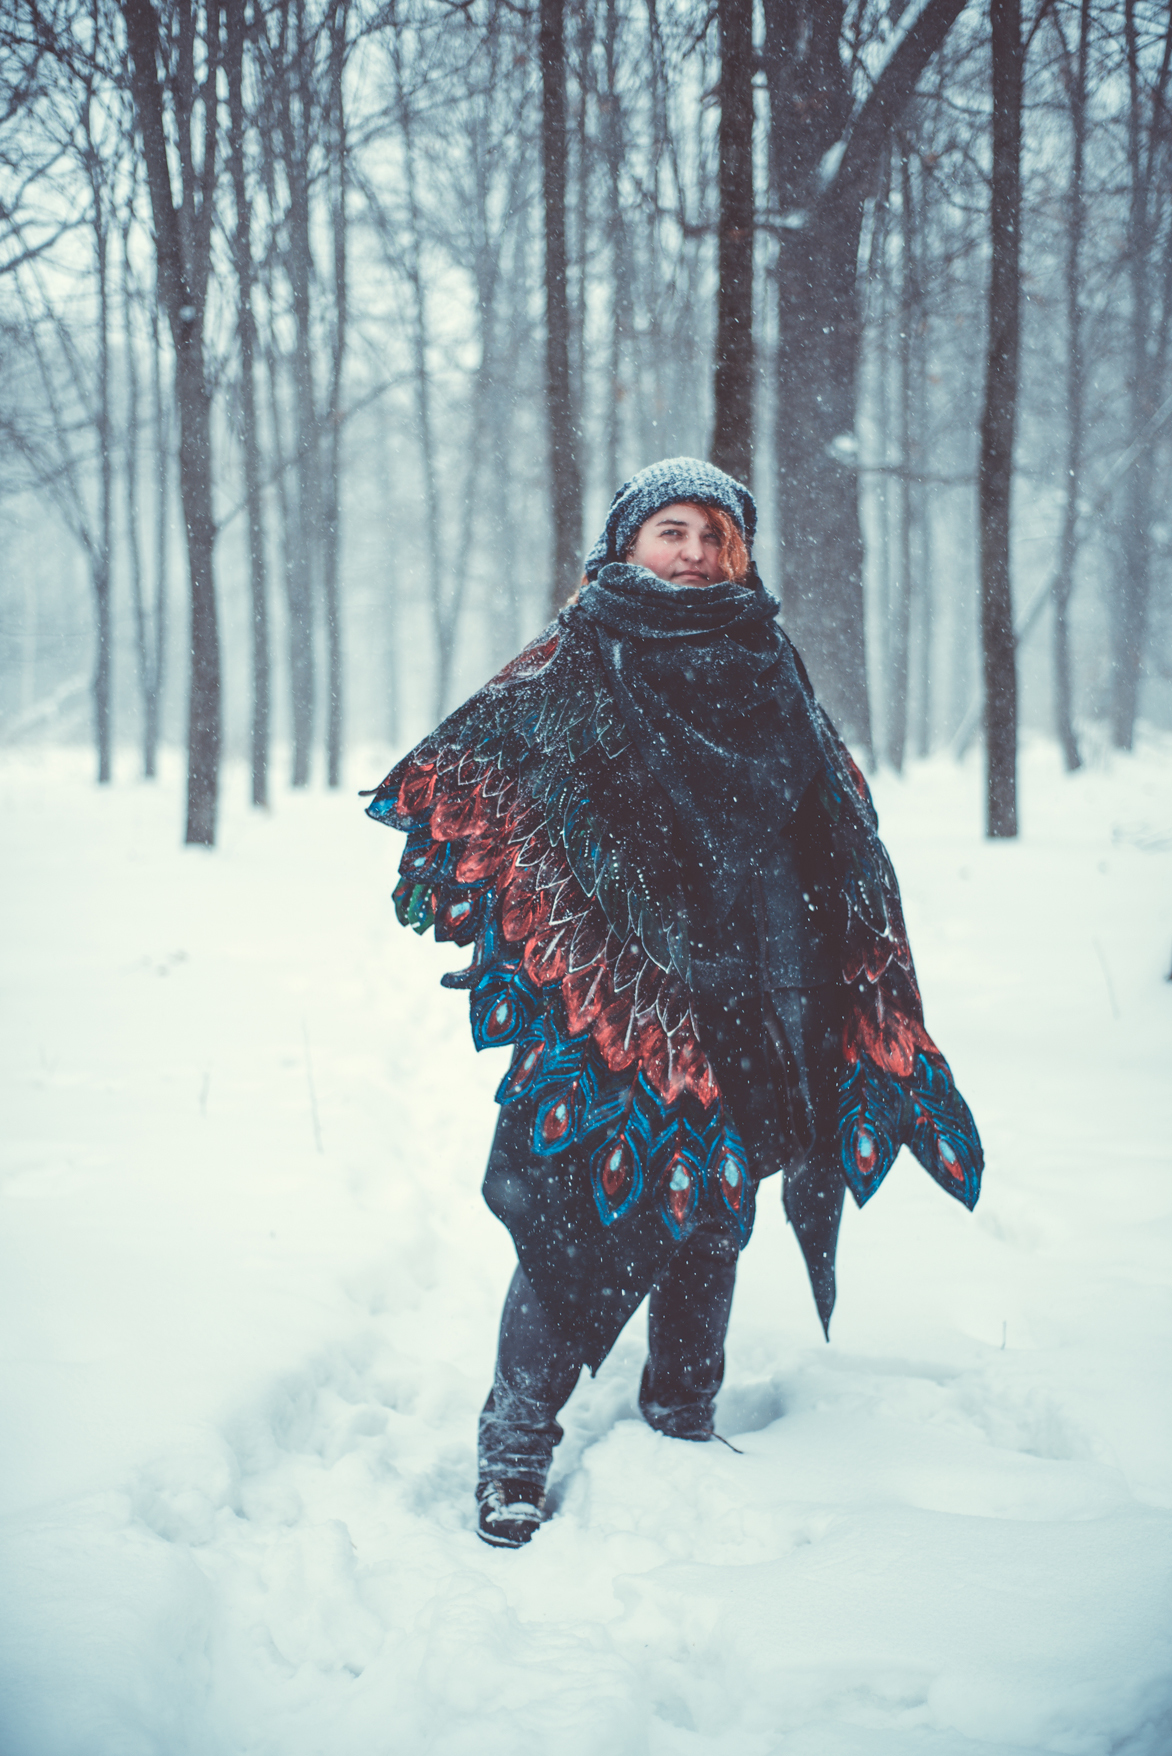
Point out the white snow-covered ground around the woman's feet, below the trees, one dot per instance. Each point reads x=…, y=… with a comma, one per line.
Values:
x=250, y=1292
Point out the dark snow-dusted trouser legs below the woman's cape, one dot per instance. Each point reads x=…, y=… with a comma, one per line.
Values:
x=539, y=1367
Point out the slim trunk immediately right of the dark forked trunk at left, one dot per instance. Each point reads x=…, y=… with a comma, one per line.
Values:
x=247, y=340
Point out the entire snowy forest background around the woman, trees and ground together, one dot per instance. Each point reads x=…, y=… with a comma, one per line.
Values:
x=328, y=333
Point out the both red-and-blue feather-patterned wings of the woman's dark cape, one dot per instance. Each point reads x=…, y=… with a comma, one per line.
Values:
x=537, y=835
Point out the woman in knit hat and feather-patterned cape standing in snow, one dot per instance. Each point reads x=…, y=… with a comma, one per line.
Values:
x=688, y=928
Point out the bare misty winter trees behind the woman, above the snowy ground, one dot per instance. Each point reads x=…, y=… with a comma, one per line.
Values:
x=329, y=333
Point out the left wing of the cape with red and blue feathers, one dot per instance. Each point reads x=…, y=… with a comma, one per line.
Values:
x=535, y=835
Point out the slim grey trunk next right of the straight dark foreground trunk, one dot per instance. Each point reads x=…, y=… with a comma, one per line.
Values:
x=1076, y=403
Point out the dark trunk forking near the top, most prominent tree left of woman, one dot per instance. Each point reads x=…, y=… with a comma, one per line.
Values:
x=184, y=285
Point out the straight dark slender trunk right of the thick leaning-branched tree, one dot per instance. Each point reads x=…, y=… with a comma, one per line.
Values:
x=997, y=426
